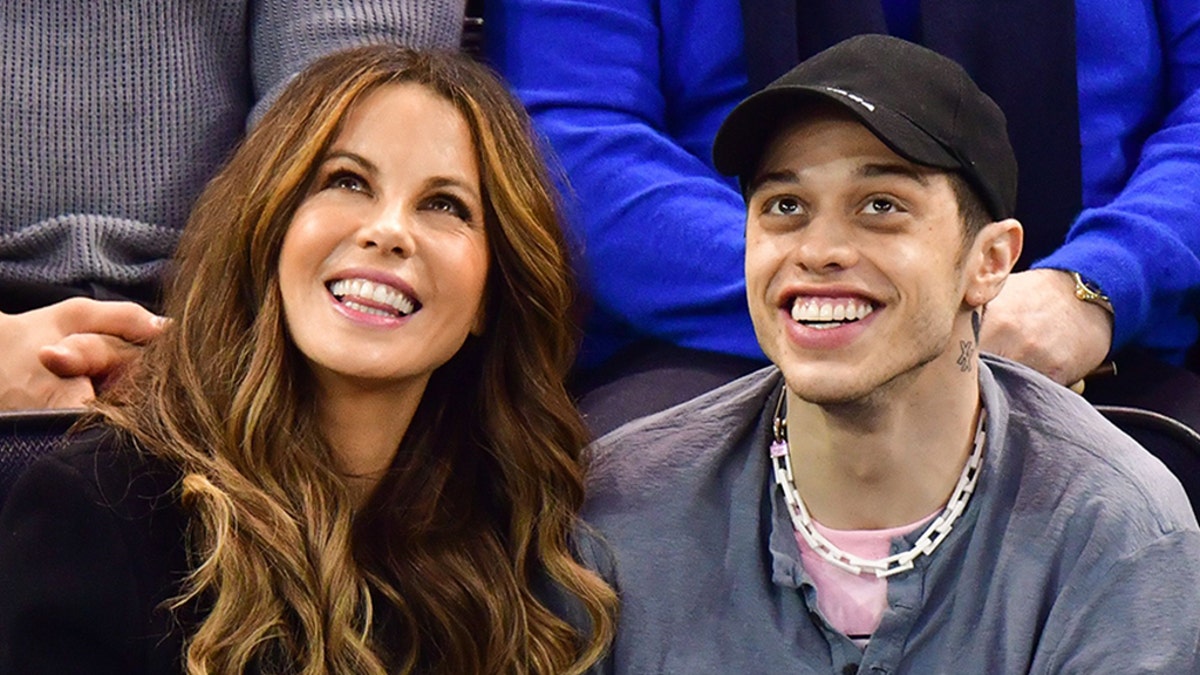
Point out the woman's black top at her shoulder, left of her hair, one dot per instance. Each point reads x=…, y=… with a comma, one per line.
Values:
x=92, y=551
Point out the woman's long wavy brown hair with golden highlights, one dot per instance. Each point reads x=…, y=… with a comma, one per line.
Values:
x=439, y=571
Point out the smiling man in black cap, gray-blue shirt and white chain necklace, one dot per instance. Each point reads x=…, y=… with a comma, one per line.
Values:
x=883, y=500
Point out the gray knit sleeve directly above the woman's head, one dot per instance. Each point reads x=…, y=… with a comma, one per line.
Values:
x=286, y=35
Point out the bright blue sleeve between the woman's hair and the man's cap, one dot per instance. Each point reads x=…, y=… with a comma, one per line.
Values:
x=629, y=94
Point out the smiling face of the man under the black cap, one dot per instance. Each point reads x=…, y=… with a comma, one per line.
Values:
x=853, y=265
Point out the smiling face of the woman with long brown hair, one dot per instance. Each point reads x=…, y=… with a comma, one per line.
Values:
x=383, y=267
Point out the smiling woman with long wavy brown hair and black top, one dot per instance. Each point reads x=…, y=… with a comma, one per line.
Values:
x=352, y=450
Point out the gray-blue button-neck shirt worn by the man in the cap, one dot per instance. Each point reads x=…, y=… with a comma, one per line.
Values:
x=1078, y=553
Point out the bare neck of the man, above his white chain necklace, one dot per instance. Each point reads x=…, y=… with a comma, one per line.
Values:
x=887, y=461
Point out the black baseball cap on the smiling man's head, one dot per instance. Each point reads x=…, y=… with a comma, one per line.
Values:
x=922, y=105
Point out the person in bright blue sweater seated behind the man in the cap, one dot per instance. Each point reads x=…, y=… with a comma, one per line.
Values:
x=631, y=94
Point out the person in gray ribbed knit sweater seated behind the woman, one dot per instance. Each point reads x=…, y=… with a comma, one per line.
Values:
x=115, y=116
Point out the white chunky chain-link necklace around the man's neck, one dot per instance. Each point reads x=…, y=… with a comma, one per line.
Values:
x=884, y=568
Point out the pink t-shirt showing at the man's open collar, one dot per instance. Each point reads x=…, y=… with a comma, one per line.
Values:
x=853, y=604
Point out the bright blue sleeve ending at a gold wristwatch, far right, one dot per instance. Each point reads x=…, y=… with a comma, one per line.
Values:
x=1143, y=247
